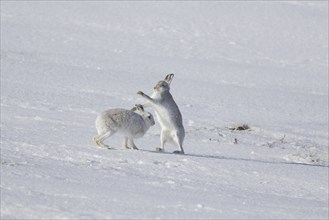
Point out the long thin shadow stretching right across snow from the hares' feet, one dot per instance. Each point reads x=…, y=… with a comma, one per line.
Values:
x=234, y=159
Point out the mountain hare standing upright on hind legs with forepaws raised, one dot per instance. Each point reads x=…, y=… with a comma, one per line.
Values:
x=168, y=114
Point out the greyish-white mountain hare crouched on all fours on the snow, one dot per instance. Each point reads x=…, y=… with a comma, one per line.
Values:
x=130, y=123
